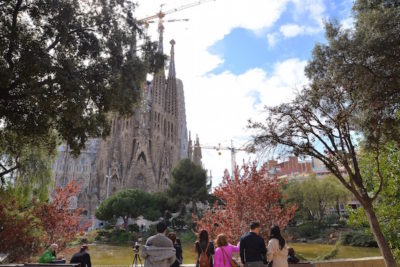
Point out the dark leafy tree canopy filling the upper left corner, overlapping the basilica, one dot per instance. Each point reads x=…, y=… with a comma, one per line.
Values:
x=63, y=66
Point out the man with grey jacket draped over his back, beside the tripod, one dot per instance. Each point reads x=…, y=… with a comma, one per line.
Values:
x=159, y=250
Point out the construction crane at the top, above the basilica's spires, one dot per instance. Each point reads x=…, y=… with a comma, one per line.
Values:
x=161, y=14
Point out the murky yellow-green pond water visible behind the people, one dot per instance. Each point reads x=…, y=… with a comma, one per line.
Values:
x=104, y=254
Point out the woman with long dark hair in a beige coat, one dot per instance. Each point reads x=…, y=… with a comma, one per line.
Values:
x=277, y=248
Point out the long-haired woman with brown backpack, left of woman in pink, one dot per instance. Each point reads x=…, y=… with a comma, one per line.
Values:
x=205, y=250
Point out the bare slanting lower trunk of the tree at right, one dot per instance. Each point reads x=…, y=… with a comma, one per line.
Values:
x=380, y=238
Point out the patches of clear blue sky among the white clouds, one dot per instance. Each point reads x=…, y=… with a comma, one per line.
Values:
x=242, y=49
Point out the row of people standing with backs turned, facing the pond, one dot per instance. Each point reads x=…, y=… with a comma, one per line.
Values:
x=163, y=251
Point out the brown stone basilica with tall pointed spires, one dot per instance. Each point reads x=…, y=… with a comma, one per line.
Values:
x=141, y=150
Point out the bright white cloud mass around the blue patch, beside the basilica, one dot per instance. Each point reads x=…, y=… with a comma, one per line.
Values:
x=218, y=106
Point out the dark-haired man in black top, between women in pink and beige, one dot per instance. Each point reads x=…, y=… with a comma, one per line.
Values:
x=252, y=247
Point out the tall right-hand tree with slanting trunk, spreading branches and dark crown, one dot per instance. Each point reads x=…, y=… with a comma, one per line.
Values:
x=348, y=76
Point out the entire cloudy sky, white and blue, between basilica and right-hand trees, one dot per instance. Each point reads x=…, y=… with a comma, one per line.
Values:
x=234, y=57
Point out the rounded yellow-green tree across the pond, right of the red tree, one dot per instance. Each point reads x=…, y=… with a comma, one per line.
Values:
x=314, y=195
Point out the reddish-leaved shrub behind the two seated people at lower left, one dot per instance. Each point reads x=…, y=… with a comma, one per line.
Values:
x=59, y=218
